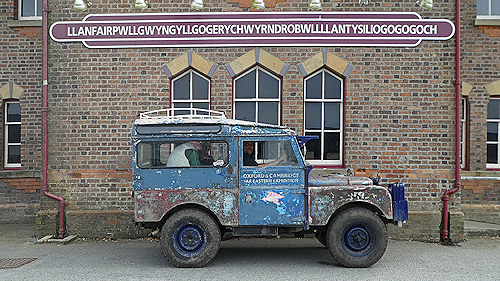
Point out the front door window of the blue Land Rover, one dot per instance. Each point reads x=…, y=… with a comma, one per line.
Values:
x=269, y=153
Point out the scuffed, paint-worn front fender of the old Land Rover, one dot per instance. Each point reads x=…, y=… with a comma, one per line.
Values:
x=325, y=200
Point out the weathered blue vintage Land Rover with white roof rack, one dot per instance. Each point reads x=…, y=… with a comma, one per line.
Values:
x=199, y=177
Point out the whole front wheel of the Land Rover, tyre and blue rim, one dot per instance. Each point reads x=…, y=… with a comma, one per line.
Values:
x=357, y=237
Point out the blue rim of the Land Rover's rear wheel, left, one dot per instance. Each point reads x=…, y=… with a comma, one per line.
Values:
x=189, y=239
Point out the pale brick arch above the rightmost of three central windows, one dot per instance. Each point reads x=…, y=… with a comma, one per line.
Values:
x=323, y=59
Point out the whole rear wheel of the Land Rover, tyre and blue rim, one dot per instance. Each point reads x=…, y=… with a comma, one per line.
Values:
x=190, y=238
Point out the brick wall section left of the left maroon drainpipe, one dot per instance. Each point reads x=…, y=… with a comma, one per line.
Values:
x=21, y=63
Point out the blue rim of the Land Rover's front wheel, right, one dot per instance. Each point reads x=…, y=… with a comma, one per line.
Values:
x=358, y=240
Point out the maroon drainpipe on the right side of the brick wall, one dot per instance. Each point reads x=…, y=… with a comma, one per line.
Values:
x=458, y=83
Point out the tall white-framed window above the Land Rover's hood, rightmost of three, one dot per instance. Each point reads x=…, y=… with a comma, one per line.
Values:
x=323, y=117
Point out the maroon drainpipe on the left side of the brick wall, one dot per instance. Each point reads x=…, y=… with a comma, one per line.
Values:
x=45, y=109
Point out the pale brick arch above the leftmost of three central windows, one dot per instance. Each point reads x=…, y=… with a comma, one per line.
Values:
x=190, y=60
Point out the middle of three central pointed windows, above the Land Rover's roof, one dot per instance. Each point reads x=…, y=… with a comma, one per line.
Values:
x=257, y=96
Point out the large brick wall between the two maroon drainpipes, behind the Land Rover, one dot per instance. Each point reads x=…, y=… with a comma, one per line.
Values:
x=399, y=104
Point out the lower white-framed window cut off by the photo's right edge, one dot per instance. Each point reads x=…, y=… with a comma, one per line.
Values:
x=493, y=137
